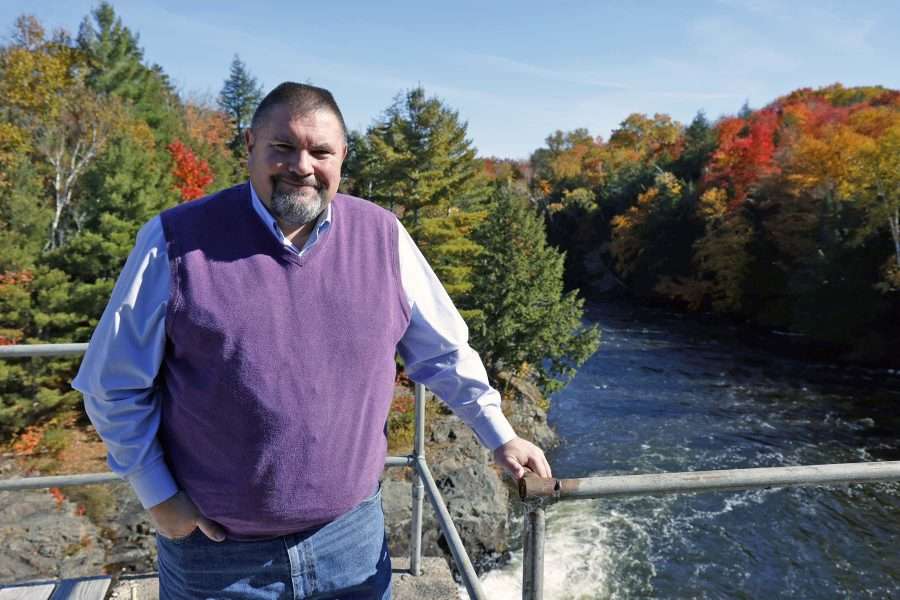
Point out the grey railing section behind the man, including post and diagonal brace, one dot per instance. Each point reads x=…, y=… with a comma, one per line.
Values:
x=422, y=479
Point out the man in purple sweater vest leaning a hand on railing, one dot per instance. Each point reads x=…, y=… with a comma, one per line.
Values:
x=242, y=372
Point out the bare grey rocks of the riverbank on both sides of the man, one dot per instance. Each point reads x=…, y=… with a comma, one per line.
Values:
x=51, y=535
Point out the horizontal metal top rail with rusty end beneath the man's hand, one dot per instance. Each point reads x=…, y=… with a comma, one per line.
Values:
x=705, y=481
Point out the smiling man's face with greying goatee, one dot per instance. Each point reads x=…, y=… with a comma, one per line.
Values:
x=295, y=163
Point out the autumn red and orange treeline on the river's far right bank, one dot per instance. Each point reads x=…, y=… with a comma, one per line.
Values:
x=786, y=216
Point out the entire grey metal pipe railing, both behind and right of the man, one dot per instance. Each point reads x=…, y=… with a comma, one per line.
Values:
x=532, y=490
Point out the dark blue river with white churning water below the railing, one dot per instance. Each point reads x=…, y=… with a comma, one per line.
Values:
x=668, y=392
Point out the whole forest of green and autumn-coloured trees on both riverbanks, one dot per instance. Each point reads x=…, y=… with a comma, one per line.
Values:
x=785, y=217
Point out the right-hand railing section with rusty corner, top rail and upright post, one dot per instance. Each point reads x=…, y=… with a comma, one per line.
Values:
x=533, y=491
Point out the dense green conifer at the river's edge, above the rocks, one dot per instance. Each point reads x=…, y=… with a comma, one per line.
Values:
x=528, y=324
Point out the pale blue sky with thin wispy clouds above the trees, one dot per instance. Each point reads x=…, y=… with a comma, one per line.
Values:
x=516, y=71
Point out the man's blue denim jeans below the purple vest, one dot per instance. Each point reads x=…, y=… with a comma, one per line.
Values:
x=346, y=559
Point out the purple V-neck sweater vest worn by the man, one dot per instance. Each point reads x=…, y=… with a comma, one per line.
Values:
x=279, y=370
